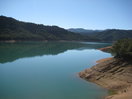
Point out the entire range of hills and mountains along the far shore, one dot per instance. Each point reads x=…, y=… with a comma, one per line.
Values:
x=12, y=29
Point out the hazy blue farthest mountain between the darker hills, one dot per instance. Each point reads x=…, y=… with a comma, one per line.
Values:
x=83, y=31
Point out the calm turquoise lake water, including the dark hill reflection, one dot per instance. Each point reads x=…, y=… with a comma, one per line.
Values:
x=48, y=70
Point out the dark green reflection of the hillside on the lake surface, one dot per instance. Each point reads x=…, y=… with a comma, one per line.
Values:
x=13, y=51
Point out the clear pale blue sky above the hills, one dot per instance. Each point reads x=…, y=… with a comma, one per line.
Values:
x=89, y=14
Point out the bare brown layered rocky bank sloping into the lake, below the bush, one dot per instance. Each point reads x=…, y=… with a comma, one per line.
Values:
x=112, y=74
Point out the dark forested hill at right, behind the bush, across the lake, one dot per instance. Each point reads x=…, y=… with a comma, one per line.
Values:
x=113, y=34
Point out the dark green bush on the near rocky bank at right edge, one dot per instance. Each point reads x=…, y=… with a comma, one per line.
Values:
x=123, y=49
